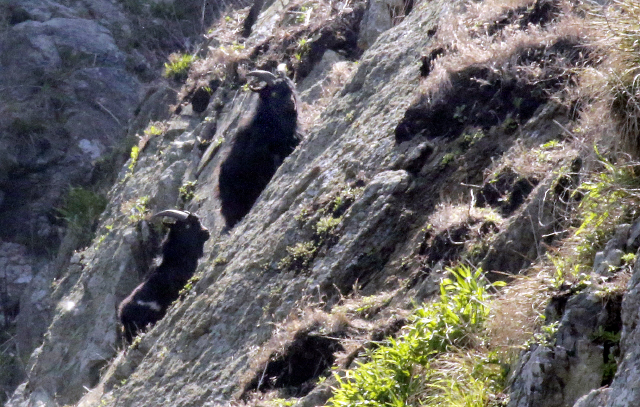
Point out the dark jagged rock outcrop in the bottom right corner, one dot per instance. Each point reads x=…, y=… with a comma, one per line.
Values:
x=589, y=358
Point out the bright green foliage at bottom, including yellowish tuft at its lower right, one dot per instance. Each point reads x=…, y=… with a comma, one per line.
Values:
x=413, y=369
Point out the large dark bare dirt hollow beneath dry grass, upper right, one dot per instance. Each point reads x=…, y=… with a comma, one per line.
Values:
x=481, y=96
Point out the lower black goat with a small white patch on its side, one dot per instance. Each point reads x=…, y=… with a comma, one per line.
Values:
x=181, y=250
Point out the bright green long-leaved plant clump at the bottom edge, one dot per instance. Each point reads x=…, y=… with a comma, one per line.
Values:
x=397, y=372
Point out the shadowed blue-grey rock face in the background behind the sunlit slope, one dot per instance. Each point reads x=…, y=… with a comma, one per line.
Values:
x=73, y=77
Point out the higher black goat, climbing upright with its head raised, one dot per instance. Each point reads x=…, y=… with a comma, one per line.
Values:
x=260, y=146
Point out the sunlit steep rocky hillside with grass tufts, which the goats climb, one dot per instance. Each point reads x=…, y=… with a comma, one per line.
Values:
x=458, y=225
